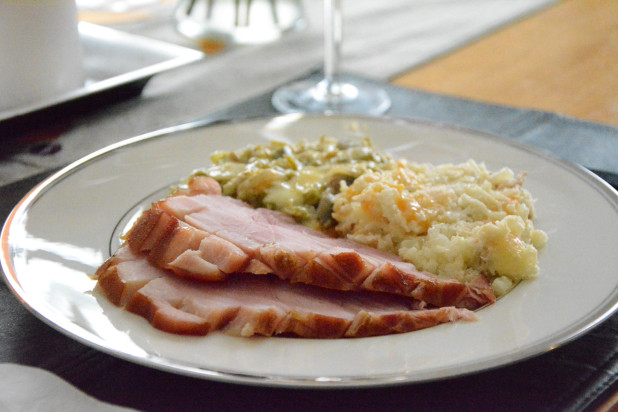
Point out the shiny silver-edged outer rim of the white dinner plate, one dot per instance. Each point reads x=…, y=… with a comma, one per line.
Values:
x=602, y=311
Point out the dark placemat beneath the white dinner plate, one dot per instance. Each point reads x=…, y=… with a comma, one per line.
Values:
x=580, y=375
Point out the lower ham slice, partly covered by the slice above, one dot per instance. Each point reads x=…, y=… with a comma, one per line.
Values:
x=247, y=305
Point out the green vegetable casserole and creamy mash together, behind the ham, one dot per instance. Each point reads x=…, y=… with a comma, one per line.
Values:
x=455, y=221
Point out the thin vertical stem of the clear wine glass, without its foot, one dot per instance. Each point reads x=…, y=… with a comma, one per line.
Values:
x=333, y=34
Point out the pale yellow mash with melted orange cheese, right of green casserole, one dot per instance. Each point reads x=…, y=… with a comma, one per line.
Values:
x=456, y=221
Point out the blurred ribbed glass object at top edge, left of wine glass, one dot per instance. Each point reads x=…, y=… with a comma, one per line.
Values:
x=239, y=21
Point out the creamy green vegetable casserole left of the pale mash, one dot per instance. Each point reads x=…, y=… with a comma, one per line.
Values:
x=299, y=180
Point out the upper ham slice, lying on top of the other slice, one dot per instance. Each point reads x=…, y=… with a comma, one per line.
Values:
x=210, y=237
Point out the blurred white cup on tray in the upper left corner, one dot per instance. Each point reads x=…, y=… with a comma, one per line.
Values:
x=40, y=51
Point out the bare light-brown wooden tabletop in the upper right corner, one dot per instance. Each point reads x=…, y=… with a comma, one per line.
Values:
x=562, y=59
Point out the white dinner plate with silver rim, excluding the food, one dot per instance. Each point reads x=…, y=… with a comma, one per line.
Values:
x=58, y=235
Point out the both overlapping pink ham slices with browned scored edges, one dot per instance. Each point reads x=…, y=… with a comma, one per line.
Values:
x=198, y=262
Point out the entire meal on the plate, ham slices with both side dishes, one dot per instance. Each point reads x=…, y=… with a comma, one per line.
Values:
x=324, y=240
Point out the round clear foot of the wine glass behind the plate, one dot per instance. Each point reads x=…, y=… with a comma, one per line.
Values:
x=352, y=96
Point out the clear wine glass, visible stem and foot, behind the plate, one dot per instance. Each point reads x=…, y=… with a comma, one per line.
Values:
x=335, y=92
